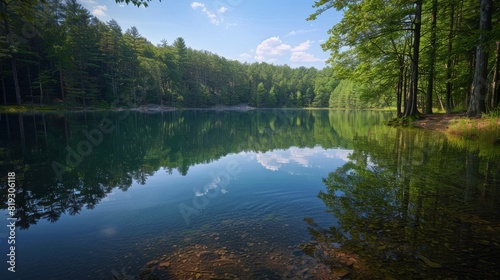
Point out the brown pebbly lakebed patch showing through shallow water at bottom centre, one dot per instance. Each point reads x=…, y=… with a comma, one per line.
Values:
x=202, y=262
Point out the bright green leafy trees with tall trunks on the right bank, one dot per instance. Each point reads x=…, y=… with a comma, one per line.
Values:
x=419, y=54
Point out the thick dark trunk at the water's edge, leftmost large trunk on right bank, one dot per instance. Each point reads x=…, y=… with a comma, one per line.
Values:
x=411, y=108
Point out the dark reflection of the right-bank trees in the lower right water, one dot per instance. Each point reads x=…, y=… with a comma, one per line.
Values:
x=410, y=205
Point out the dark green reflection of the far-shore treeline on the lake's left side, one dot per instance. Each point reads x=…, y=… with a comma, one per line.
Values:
x=141, y=144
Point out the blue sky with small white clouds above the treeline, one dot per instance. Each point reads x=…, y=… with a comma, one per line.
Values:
x=273, y=31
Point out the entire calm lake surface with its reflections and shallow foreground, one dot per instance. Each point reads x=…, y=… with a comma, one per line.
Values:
x=251, y=195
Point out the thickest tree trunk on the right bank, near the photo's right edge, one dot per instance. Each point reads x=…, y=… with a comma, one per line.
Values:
x=480, y=84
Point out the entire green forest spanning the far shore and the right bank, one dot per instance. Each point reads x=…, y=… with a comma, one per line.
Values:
x=412, y=56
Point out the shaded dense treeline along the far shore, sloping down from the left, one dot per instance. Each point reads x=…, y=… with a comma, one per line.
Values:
x=57, y=52
